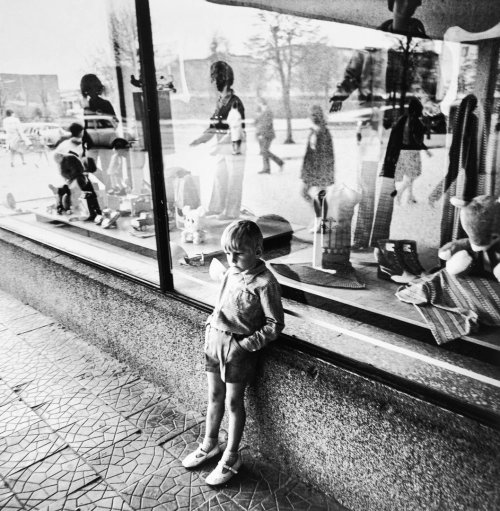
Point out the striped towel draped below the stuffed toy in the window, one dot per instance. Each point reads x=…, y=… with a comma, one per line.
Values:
x=454, y=306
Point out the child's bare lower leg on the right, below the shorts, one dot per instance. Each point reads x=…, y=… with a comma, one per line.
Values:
x=235, y=399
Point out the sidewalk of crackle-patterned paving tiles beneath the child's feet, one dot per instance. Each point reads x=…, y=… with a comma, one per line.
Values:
x=81, y=431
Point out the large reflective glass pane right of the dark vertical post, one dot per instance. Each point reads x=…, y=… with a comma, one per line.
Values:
x=349, y=152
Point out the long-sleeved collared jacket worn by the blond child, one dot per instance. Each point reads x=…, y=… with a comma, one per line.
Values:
x=249, y=304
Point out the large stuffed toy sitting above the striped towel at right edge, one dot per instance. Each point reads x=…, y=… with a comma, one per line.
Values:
x=479, y=254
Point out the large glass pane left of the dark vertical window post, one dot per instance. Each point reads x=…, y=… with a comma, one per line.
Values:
x=82, y=190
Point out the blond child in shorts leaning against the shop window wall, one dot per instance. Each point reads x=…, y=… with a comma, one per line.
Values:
x=247, y=316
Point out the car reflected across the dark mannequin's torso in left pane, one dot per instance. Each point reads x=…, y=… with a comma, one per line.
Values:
x=106, y=131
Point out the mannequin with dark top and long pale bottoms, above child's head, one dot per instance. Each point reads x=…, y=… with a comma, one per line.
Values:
x=228, y=177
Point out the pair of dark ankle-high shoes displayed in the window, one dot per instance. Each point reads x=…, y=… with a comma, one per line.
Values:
x=398, y=261
